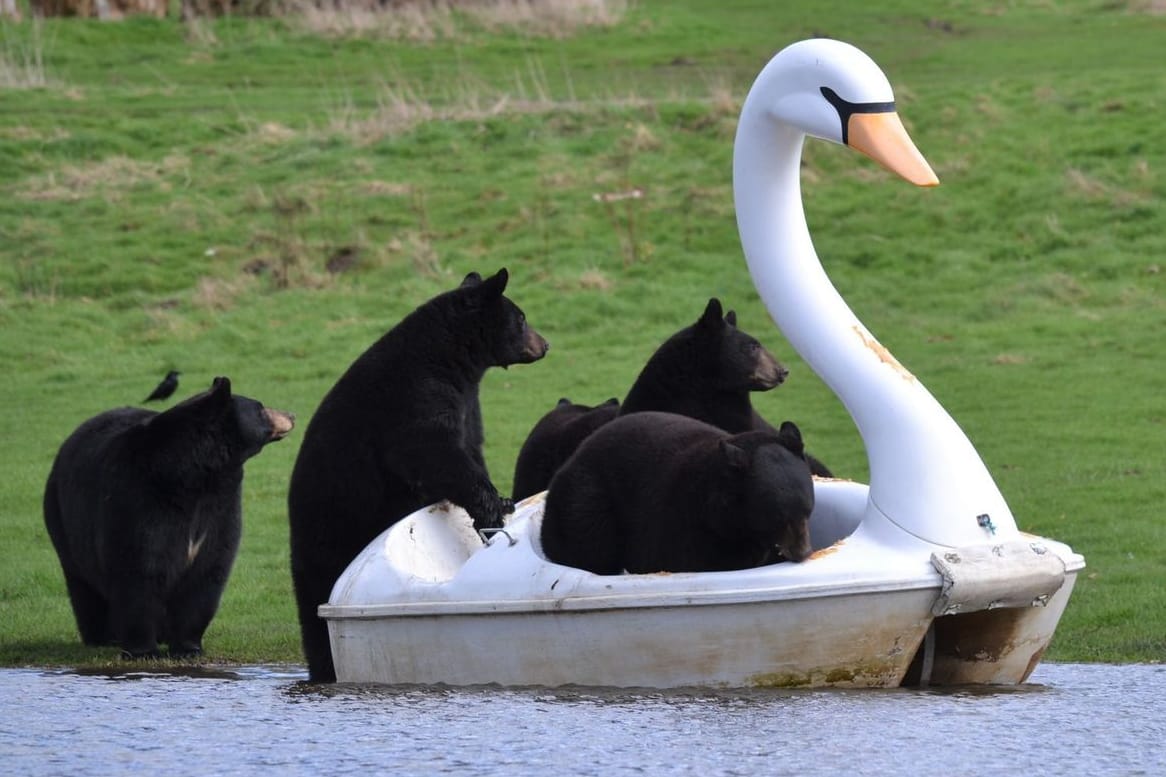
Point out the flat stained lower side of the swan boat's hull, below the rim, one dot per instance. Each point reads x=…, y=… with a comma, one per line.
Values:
x=725, y=646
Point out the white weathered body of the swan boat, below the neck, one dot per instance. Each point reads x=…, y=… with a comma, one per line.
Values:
x=429, y=603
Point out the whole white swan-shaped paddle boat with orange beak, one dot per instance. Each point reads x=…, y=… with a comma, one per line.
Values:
x=919, y=578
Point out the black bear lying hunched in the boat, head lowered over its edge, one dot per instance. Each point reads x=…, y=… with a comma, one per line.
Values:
x=664, y=493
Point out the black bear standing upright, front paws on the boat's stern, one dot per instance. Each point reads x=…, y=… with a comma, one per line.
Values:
x=399, y=431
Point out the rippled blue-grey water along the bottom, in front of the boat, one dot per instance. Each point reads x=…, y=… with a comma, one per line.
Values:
x=1071, y=719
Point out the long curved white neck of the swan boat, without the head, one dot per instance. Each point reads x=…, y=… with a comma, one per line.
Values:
x=925, y=474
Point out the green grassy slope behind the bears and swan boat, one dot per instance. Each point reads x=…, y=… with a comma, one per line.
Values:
x=171, y=198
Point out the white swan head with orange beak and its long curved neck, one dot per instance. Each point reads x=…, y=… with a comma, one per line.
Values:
x=926, y=478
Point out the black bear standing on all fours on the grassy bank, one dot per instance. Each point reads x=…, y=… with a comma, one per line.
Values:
x=145, y=513
